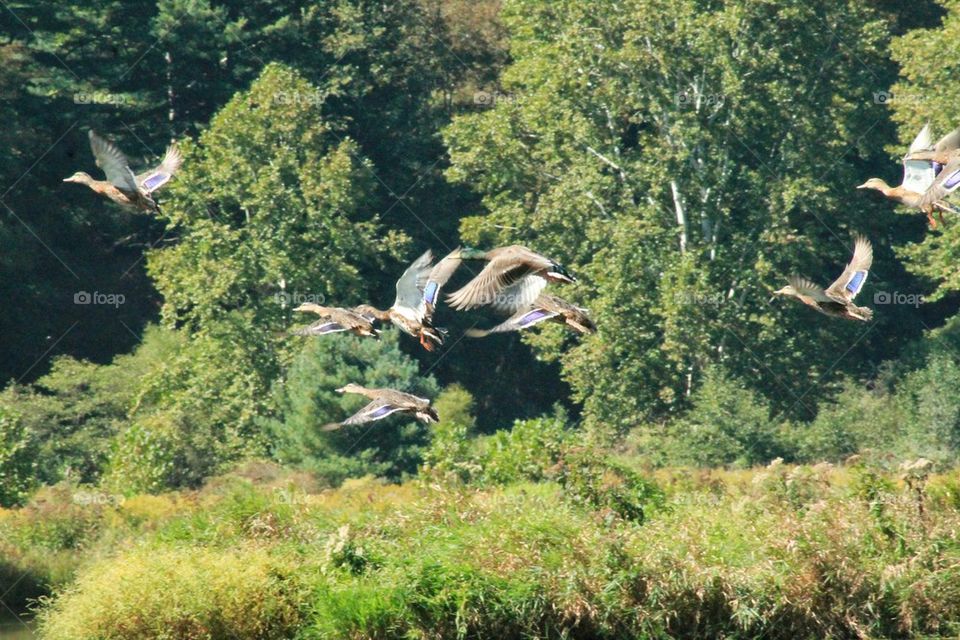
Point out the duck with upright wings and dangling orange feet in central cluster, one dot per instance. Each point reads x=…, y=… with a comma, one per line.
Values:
x=417, y=291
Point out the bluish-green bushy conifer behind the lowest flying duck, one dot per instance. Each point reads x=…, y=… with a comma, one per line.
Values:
x=307, y=400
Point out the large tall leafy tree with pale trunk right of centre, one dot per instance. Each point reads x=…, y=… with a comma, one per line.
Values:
x=666, y=152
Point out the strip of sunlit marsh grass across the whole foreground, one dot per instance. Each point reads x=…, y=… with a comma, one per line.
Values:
x=779, y=552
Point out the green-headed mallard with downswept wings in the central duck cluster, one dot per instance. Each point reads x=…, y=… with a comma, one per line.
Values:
x=512, y=278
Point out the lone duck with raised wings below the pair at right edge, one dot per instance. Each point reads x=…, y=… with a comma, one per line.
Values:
x=837, y=299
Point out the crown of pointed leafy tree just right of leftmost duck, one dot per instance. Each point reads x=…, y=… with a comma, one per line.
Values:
x=272, y=205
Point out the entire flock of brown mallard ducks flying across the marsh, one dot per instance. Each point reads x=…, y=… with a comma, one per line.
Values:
x=513, y=278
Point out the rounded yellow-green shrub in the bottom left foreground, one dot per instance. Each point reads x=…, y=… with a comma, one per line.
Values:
x=181, y=593
